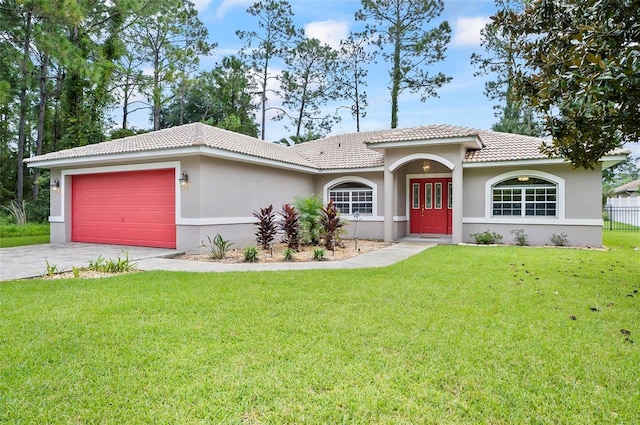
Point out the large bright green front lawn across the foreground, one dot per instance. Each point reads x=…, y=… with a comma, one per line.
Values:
x=458, y=334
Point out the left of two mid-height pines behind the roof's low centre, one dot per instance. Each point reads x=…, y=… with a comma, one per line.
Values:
x=307, y=86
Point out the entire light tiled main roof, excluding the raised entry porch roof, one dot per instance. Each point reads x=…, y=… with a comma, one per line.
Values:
x=335, y=152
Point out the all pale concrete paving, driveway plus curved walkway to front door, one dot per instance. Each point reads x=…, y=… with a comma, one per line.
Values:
x=30, y=261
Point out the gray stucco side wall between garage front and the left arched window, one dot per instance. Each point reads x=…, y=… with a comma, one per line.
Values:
x=221, y=197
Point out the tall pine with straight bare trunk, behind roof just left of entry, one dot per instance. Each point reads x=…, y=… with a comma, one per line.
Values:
x=403, y=25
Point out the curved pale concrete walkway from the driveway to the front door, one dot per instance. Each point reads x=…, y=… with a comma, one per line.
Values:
x=380, y=258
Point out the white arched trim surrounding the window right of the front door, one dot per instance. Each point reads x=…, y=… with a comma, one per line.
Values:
x=525, y=219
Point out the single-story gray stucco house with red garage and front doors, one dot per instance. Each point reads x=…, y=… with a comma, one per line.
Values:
x=175, y=187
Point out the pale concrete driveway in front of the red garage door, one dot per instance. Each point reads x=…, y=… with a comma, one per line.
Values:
x=30, y=261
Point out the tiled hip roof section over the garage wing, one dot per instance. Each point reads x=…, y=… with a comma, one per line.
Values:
x=196, y=134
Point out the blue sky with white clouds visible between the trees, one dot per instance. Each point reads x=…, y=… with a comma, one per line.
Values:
x=461, y=102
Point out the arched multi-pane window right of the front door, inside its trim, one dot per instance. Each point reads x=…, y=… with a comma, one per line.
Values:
x=526, y=197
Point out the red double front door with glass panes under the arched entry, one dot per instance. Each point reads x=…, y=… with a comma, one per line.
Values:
x=430, y=205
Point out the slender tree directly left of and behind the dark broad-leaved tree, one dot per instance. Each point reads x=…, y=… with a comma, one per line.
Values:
x=500, y=62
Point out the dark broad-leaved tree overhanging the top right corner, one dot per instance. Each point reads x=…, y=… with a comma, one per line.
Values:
x=580, y=70
